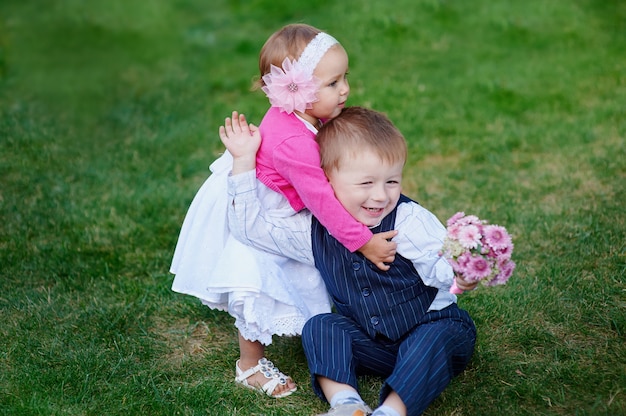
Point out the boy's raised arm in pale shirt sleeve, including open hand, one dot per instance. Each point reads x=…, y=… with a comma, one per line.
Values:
x=286, y=236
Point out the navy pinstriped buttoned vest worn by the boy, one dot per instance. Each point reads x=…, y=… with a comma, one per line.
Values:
x=383, y=303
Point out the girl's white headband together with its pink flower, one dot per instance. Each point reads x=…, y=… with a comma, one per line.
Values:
x=293, y=86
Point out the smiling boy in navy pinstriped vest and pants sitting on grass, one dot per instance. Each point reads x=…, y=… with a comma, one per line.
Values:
x=403, y=323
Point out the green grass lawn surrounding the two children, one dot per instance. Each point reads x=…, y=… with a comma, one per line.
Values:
x=514, y=111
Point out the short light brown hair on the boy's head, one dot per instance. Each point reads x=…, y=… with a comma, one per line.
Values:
x=358, y=129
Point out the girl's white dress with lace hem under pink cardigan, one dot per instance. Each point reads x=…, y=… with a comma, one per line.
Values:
x=266, y=294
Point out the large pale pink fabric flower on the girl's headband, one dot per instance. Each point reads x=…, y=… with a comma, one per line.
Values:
x=290, y=88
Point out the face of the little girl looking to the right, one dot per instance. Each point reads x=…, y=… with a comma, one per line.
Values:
x=333, y=92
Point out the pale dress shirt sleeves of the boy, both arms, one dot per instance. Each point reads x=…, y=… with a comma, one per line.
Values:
x=420, y=235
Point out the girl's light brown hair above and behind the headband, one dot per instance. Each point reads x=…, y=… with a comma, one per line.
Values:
x=288, y=42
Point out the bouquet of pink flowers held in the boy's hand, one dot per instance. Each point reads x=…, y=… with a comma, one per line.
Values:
x=478, y=251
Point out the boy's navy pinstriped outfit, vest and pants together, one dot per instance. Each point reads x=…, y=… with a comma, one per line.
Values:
x=382, y=326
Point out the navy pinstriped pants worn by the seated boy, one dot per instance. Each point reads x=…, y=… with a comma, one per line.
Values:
x=418, y=367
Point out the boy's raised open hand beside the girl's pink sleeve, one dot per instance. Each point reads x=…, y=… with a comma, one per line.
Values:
x=242, y=140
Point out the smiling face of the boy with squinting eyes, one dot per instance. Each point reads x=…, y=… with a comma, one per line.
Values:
x=367, y=187
